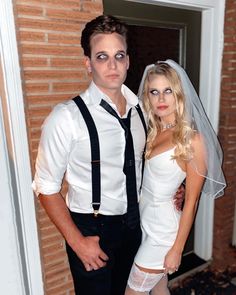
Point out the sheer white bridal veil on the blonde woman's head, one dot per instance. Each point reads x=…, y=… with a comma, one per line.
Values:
x=214, y=179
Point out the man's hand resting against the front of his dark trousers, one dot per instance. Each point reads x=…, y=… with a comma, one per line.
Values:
x=90, y=253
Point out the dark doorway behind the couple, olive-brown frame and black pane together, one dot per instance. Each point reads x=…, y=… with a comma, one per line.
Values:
x=144, y=18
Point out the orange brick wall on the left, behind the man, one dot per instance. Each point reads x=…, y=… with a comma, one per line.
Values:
x=53, y=70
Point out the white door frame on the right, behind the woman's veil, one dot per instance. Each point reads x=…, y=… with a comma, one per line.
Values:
x=212, y=33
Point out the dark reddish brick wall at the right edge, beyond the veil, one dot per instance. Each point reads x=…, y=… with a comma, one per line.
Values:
x=224, y=254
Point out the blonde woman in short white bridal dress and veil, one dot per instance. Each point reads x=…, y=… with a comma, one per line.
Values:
x=181, y=146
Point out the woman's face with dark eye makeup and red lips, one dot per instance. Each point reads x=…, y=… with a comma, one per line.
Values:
x=162, y=98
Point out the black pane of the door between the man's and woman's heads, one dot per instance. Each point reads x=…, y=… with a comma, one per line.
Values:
x=148, y=45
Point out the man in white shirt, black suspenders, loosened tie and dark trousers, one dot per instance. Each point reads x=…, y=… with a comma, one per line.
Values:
x=101, y=244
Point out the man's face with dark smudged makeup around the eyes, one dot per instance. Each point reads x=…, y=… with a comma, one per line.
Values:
x=109, y=61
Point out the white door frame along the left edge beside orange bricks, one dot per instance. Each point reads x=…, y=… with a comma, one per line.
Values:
x=17, y=172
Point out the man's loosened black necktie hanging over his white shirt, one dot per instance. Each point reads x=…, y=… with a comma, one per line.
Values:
x=129, y=167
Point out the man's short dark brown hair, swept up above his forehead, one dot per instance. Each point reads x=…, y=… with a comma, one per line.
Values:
x=105, y=24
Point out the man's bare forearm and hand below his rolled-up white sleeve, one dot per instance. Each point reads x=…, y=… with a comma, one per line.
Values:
x=87, y=248
